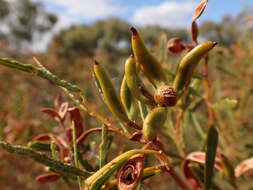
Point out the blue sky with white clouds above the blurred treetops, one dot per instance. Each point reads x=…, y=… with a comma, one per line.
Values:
x=167, y=13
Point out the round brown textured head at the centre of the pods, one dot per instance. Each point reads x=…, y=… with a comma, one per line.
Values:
x=166, y=96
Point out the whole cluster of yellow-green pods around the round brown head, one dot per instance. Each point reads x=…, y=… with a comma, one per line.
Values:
x=133, y=90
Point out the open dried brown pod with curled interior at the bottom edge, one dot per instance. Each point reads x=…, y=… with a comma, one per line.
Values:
x=130, y=173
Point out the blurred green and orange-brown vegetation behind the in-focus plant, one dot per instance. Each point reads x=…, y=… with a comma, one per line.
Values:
x=69, y=55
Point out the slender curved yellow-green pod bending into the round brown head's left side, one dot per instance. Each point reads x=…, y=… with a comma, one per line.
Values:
x=133, y=81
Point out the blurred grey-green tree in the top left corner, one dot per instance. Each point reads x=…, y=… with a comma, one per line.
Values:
x=23, y=22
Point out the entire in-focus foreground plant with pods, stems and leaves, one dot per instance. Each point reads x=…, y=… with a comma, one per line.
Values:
x=150, y=108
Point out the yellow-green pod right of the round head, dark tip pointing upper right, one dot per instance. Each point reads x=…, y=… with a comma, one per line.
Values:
x=188, y=64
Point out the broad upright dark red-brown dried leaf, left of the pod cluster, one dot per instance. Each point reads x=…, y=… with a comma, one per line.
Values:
x=76, y=116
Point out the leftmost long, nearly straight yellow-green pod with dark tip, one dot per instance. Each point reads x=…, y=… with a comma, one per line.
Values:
x=109, y=93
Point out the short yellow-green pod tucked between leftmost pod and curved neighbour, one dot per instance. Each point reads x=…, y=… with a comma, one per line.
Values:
x=127, y=98
